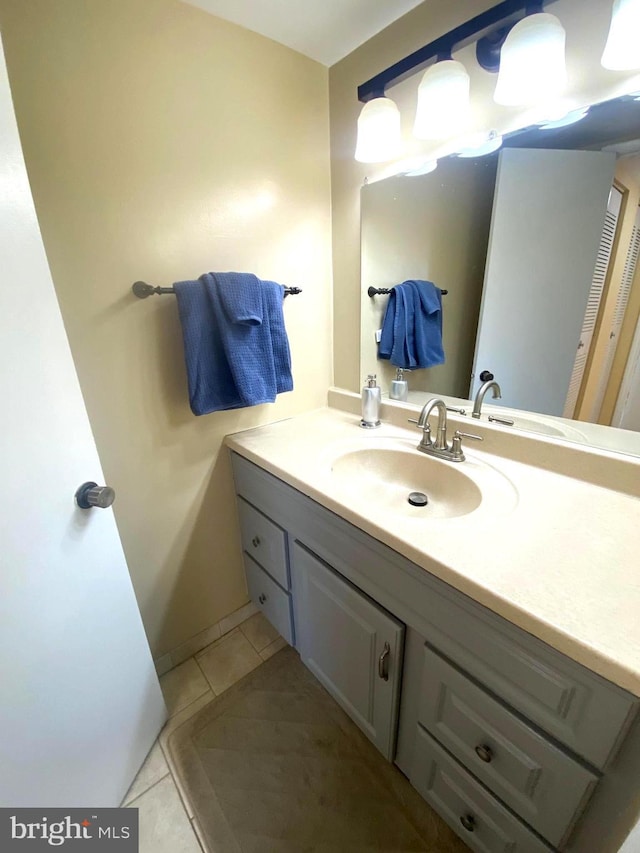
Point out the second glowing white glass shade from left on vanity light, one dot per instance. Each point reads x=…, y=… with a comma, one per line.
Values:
x=443, y=101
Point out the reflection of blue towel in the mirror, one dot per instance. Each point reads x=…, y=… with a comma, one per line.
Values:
x=412, y=326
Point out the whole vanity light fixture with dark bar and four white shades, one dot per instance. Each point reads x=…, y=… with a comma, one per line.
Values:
x=528, y=51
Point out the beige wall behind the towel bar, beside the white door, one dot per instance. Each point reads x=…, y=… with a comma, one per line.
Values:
x=161, y=143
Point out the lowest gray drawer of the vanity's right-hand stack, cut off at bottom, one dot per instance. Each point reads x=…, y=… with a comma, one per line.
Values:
x=479, y=819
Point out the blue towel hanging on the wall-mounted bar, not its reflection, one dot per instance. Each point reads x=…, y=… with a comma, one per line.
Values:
x=235, y=342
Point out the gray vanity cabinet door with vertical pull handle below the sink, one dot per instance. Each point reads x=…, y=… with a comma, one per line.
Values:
x=352, y=646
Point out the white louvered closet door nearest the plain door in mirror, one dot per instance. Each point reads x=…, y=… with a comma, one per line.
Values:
x=595, y=295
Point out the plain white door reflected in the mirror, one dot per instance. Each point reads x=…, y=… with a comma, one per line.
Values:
x=548, y=213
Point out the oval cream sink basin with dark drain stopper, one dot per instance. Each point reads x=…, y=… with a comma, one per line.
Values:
x=382, y=476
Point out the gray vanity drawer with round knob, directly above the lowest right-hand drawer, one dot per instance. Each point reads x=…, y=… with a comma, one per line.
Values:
x=537, y=780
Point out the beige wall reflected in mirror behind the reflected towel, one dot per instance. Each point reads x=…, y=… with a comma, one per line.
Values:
x=433, y=227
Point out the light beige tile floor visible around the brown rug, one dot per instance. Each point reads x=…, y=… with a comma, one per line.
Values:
x=167, y=824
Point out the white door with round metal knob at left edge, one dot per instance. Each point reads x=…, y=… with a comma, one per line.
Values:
x=81, y=704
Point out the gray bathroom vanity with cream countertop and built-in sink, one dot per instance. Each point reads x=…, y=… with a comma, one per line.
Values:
x=440, y=629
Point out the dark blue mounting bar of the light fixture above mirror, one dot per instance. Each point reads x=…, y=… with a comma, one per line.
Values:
x=489, y=29
